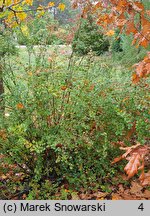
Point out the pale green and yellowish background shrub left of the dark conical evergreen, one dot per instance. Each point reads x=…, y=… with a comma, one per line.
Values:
x=39, y=31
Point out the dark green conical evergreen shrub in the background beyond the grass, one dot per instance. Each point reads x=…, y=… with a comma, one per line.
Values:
x=89, y=38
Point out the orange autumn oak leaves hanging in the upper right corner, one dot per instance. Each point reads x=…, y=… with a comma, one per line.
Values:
x=130, y=17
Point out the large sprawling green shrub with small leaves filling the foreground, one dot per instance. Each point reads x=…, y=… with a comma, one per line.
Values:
x=66, y=130
